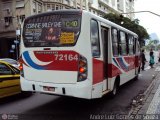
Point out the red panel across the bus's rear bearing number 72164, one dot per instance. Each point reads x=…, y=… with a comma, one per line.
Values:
x=58, y=60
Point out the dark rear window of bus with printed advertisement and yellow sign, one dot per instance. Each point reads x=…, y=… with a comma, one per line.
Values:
x=51, y=30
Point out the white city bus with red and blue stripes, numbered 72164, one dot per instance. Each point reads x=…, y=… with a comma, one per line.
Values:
x=76, y=53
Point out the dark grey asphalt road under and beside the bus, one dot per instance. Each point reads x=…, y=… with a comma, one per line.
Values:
x=48, y=107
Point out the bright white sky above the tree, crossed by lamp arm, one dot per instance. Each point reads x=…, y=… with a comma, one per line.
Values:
x=149, y=21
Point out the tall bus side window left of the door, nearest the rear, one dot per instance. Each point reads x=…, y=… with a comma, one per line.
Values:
x=95, y=46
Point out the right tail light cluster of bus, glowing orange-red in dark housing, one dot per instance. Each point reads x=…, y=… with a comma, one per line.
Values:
x=83, y=72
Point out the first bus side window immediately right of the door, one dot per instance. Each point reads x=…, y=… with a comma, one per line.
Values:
x=115, y=42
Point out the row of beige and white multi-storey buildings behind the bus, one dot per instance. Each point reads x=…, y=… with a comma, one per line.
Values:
x=13, y=13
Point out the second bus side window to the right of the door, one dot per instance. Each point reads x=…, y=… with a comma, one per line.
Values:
x=123, y=43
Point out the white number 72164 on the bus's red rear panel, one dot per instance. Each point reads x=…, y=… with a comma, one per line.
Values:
x=66, y=57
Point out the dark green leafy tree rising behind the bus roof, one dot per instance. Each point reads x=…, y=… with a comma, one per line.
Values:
x=131, y=25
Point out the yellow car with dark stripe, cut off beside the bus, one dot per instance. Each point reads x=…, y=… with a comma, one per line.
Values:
x=9, y=80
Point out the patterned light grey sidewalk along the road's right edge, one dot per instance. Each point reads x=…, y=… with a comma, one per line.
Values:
x=148, y=103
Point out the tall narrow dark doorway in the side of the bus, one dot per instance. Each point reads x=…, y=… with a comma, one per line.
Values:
x=104, y=37
